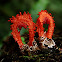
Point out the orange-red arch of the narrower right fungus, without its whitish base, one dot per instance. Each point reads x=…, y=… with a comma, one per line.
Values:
x=43, y=18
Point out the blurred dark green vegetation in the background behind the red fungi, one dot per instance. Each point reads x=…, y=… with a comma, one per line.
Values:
x=9, y=8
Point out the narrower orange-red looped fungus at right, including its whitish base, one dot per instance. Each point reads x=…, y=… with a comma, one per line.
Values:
x=43, y=18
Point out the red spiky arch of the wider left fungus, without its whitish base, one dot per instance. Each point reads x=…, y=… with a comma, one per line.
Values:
x=22, y=21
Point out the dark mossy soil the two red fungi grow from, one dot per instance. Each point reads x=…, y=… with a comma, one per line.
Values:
x=11, y=52
